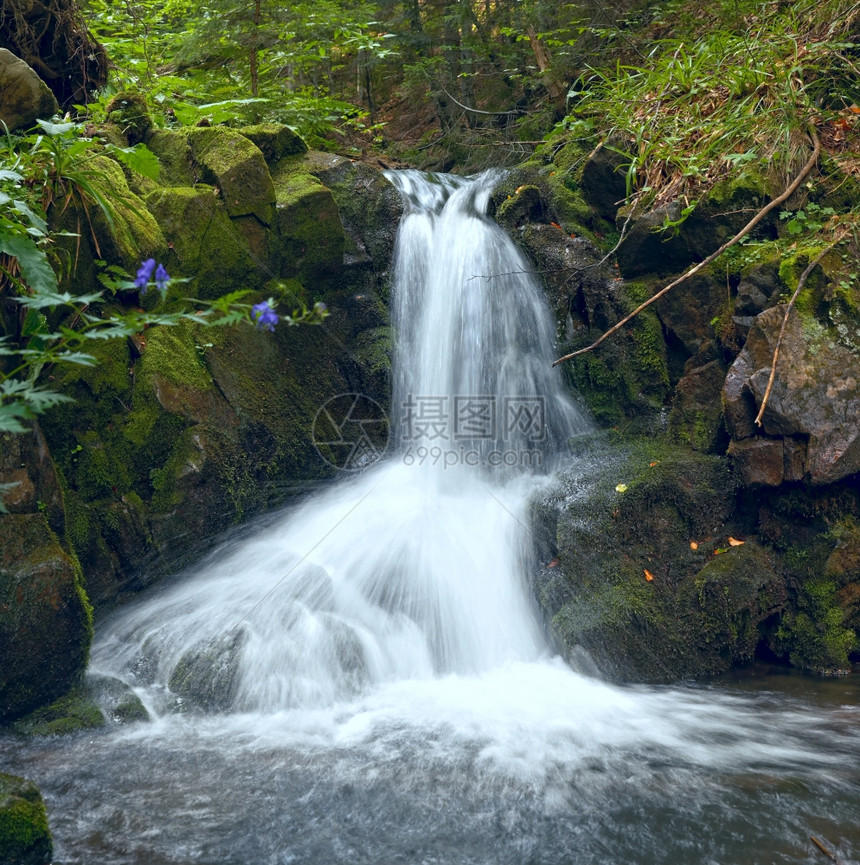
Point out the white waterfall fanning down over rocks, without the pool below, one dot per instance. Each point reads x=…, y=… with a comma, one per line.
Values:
x=416, y=567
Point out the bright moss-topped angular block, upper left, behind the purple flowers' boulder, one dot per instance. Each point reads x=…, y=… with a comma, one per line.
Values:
x=235, y=165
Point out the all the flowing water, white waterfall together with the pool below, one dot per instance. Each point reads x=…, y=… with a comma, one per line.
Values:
x=364, y=679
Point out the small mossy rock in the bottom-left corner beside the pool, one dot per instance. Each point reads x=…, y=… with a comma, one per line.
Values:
x=25, y=838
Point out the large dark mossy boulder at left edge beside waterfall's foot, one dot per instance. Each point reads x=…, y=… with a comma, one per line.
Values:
x=45, y=618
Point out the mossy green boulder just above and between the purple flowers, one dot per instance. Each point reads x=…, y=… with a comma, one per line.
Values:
x=205, y=243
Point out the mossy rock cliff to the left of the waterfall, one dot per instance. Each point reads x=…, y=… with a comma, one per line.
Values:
x=183, y=431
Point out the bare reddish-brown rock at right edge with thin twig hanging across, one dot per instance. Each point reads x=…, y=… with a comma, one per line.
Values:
x=816, y=393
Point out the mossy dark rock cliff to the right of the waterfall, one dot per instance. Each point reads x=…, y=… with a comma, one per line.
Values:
x=690, y=374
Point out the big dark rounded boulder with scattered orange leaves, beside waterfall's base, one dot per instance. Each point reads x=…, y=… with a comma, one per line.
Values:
x=621, y=579
